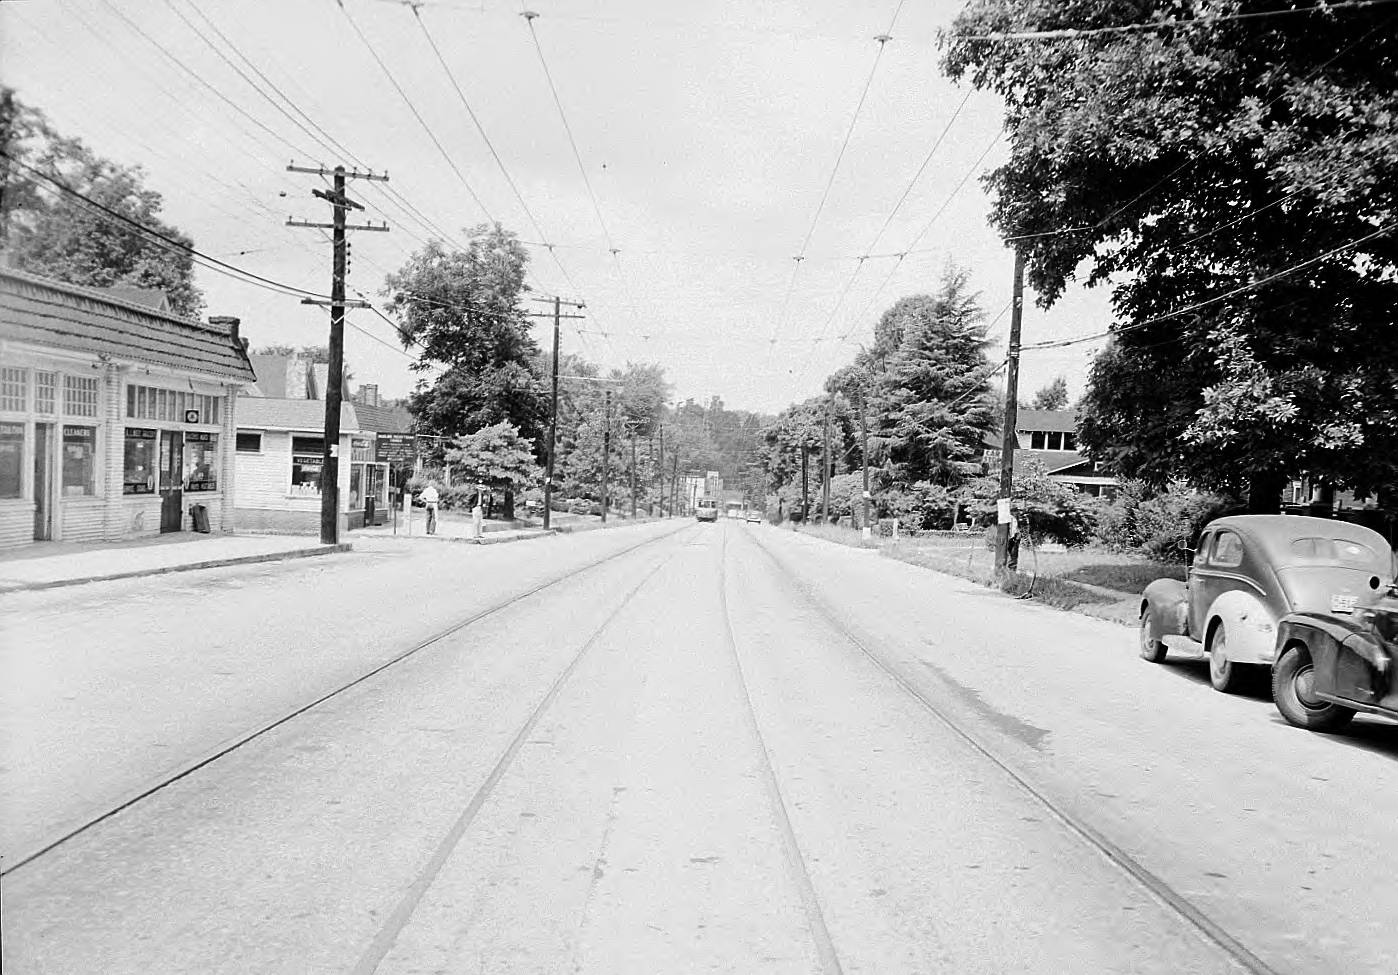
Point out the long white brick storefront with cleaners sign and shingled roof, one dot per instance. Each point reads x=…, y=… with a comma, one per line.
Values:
x=115, y=418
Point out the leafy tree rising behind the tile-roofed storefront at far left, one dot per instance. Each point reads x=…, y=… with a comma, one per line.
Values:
x=59, y=236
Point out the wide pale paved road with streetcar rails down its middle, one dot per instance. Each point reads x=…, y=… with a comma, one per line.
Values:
x=716, y=748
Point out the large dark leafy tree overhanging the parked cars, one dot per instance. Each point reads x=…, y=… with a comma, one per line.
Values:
x=1256, y=156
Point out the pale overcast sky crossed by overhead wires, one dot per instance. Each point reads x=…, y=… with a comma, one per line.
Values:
x=709, y=136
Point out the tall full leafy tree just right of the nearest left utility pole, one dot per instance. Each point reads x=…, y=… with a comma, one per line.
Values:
x=463, y=313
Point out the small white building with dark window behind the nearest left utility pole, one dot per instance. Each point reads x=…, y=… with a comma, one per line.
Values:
x=280, y=451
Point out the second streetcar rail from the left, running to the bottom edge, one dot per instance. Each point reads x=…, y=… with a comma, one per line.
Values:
x=402, y=914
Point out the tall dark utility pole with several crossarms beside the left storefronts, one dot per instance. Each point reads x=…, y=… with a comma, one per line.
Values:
x=335, y=378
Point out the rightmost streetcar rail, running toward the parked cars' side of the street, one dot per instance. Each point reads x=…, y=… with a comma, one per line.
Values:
x=1154, y=885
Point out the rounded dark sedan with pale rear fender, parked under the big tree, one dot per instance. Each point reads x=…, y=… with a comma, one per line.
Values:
x=1249, y=573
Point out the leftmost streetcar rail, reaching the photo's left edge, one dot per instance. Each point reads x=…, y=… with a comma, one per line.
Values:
x=252, y=736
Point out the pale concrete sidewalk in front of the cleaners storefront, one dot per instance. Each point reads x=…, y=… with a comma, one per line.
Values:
x=48, y=566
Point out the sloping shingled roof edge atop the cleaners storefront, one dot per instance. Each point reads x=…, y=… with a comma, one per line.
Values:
x=47, y=313
